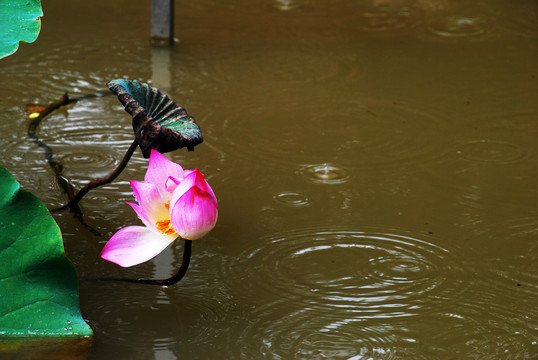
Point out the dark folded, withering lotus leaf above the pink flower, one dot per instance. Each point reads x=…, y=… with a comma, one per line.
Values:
x=158, y=122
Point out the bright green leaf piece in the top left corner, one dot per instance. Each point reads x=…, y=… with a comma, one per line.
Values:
x=20, y=20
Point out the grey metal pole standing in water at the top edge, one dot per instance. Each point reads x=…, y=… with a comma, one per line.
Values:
x=162, y=22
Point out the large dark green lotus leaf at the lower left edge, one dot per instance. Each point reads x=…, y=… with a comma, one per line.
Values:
x=38, y=283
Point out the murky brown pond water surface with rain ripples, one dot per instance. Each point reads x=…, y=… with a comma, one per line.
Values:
x=375, y=162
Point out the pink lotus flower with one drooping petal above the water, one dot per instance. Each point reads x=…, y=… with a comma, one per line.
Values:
x=172, y=203
